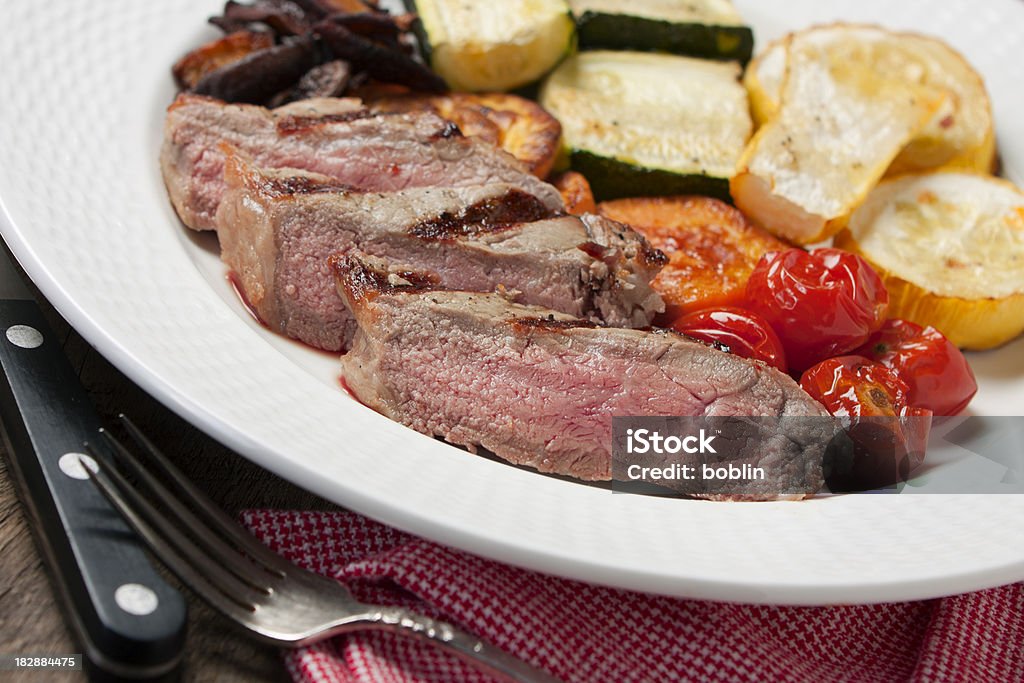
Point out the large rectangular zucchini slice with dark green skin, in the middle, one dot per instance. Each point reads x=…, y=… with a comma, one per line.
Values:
x=641, y=124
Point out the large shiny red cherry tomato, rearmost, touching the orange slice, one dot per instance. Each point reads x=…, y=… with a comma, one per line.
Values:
x=822, y=304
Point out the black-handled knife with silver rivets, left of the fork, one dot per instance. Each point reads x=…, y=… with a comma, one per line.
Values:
x=130, y=622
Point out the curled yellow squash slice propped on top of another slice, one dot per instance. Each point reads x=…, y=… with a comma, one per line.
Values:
x=839, y=126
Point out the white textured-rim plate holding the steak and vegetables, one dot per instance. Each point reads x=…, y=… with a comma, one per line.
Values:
x=83, y=88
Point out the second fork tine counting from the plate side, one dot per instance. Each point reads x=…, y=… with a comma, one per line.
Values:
x=240, y=566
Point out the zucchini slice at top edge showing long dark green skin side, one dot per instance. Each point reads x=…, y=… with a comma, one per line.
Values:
x=710, y=29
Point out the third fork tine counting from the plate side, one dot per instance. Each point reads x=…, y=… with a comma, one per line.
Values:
x=162, y=536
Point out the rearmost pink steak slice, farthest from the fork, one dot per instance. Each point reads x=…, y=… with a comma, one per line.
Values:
x=336, y=138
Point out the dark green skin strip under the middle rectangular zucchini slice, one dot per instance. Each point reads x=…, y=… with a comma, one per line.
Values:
x=612, y=180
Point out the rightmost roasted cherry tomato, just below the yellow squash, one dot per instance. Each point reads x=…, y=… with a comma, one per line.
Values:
x=935, y=371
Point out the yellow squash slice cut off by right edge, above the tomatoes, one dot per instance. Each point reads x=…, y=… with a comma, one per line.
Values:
x=951, y=249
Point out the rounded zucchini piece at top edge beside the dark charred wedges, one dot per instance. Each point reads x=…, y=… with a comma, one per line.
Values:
x=490, y=47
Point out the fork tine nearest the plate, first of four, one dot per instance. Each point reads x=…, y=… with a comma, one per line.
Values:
x=215, y=517
